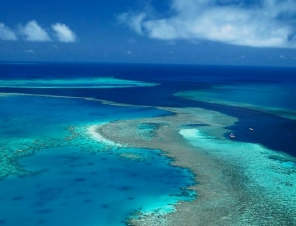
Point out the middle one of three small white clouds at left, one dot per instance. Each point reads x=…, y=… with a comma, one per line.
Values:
x=33, y=32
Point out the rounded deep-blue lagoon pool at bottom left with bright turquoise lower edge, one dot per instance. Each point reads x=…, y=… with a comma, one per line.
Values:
x=68, y=187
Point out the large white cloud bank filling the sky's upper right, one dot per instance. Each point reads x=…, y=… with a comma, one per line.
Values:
x=265, y=23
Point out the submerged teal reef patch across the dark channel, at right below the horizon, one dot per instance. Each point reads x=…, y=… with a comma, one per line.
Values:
x=227, y=95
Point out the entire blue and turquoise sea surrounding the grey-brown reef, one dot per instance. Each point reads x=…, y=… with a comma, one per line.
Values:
x=55, y=169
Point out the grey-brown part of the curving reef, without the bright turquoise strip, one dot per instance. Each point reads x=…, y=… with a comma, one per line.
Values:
x=226, y=195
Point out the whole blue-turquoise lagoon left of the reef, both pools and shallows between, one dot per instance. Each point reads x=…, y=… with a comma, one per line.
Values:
x=54, y=172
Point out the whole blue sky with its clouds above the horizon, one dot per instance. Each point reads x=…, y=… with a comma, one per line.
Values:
x=229, y=32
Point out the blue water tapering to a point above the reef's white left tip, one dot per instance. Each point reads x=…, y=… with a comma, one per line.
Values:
x=27, y=119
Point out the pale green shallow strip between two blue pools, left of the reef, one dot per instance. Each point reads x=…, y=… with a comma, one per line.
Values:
x=13, y=150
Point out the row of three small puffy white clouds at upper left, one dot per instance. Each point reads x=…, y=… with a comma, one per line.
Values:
x=33, y=32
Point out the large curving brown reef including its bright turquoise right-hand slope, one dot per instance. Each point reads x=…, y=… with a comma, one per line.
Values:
x=238, y=183
